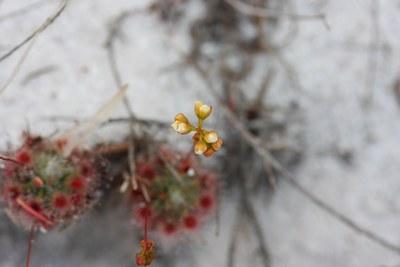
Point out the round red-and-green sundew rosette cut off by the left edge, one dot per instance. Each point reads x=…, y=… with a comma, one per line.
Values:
x=45, y=188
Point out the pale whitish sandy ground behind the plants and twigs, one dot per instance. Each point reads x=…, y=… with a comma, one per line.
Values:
x=337, y=69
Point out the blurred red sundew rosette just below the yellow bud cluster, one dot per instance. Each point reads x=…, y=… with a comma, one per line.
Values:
x=151, y=171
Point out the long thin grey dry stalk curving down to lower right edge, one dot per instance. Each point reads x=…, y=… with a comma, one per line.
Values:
x=268, y=159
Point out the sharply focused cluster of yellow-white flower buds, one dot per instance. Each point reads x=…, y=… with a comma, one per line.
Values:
x=205, y=142
